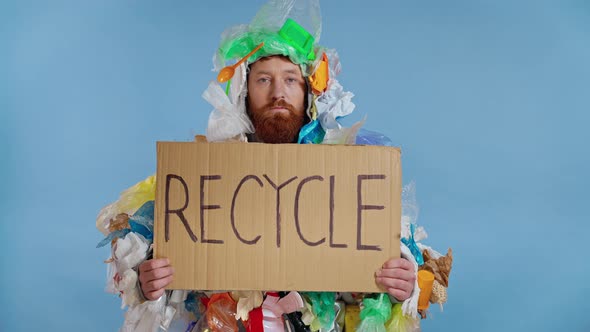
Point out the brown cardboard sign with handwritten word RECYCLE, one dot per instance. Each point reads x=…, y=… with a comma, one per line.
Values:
x=251, y=216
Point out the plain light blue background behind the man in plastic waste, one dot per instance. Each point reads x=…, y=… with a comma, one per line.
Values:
x=488, y=100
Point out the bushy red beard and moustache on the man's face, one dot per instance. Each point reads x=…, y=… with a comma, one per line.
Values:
x=277, y=127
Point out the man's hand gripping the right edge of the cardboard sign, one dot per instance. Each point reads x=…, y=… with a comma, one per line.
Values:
x=397, y=276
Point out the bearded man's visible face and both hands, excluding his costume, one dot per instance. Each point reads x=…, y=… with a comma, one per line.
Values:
x=276, y=105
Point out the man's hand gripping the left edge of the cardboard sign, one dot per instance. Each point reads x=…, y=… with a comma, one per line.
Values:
x=154, y=275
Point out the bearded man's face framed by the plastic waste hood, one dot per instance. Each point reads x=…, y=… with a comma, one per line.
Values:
x=276, y=99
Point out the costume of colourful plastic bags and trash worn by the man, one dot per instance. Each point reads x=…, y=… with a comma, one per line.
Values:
x=289, y=28
